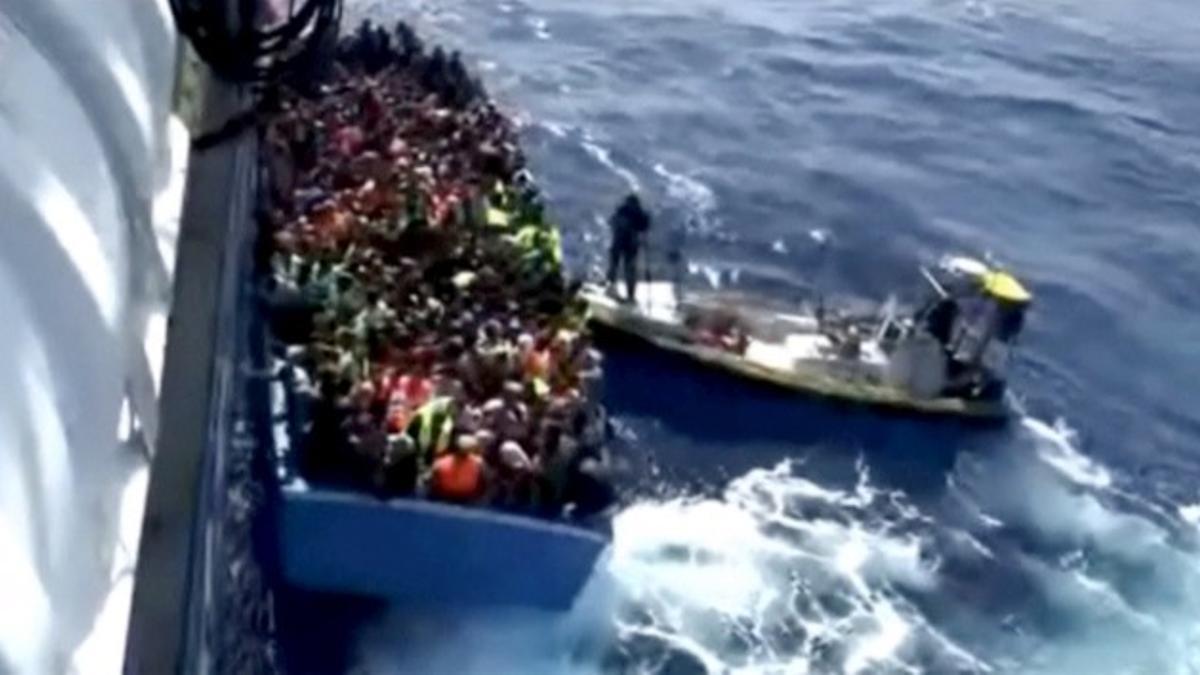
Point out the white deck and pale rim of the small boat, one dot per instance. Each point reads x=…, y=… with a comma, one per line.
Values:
x=782, y=349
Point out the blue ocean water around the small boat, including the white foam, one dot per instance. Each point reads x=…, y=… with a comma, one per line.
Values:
x=771, y=535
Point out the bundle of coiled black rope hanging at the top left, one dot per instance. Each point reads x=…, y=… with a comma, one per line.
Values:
x=226, y=35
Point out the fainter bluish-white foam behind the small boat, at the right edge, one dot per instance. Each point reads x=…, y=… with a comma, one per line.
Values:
x=1131, y=594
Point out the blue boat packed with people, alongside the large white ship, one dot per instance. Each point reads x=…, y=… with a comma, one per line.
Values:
x=433, y=391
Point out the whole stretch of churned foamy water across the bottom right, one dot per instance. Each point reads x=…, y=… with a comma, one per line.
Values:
x=1030, y=565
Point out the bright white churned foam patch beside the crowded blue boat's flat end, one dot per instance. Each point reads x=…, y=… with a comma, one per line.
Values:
x=781, y=576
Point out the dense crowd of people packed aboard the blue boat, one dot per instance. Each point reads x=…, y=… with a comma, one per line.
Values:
x=434, y=344
